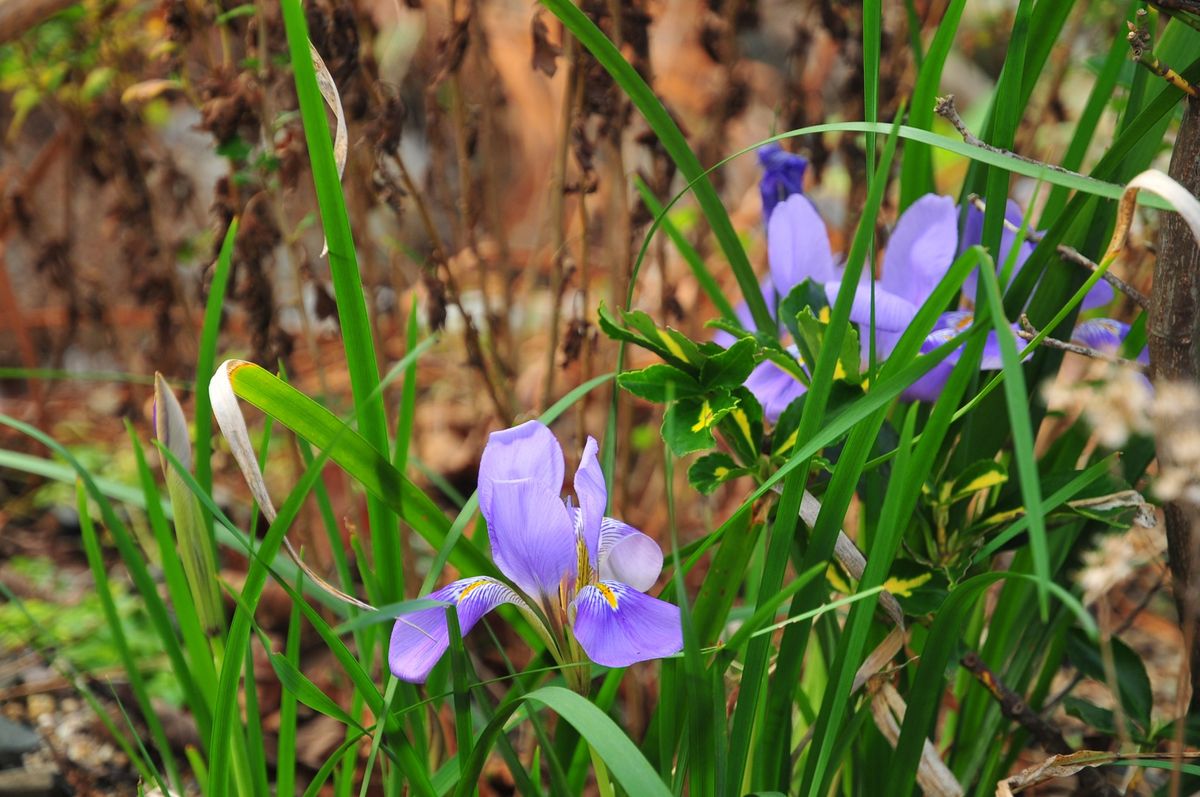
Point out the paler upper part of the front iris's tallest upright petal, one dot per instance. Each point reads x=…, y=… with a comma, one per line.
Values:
x=526, y=452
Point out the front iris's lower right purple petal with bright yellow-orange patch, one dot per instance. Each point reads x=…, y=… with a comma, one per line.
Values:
x=619, y=626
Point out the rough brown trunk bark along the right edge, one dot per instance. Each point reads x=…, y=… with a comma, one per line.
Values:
x=1173, y=332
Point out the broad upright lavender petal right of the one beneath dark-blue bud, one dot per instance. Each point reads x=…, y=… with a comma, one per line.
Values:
x=922, y=249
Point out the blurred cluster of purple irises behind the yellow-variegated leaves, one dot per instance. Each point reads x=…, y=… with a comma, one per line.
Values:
x=926, y=242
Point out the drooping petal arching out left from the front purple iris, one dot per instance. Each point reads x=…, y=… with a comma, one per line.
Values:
x=418, y=640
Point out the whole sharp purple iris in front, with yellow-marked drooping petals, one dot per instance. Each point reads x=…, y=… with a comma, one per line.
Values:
x=579, y=577
